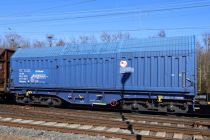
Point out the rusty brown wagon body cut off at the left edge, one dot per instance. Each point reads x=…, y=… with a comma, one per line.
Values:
x=5, y=55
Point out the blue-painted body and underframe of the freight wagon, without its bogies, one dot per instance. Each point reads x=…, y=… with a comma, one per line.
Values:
x=157, y=64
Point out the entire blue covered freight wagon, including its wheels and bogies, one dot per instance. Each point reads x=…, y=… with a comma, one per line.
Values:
x=141, y=74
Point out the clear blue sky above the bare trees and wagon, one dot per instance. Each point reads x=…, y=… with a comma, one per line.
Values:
x=70, y=18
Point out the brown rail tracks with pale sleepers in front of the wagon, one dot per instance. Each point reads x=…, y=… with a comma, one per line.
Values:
x=109, y=124
